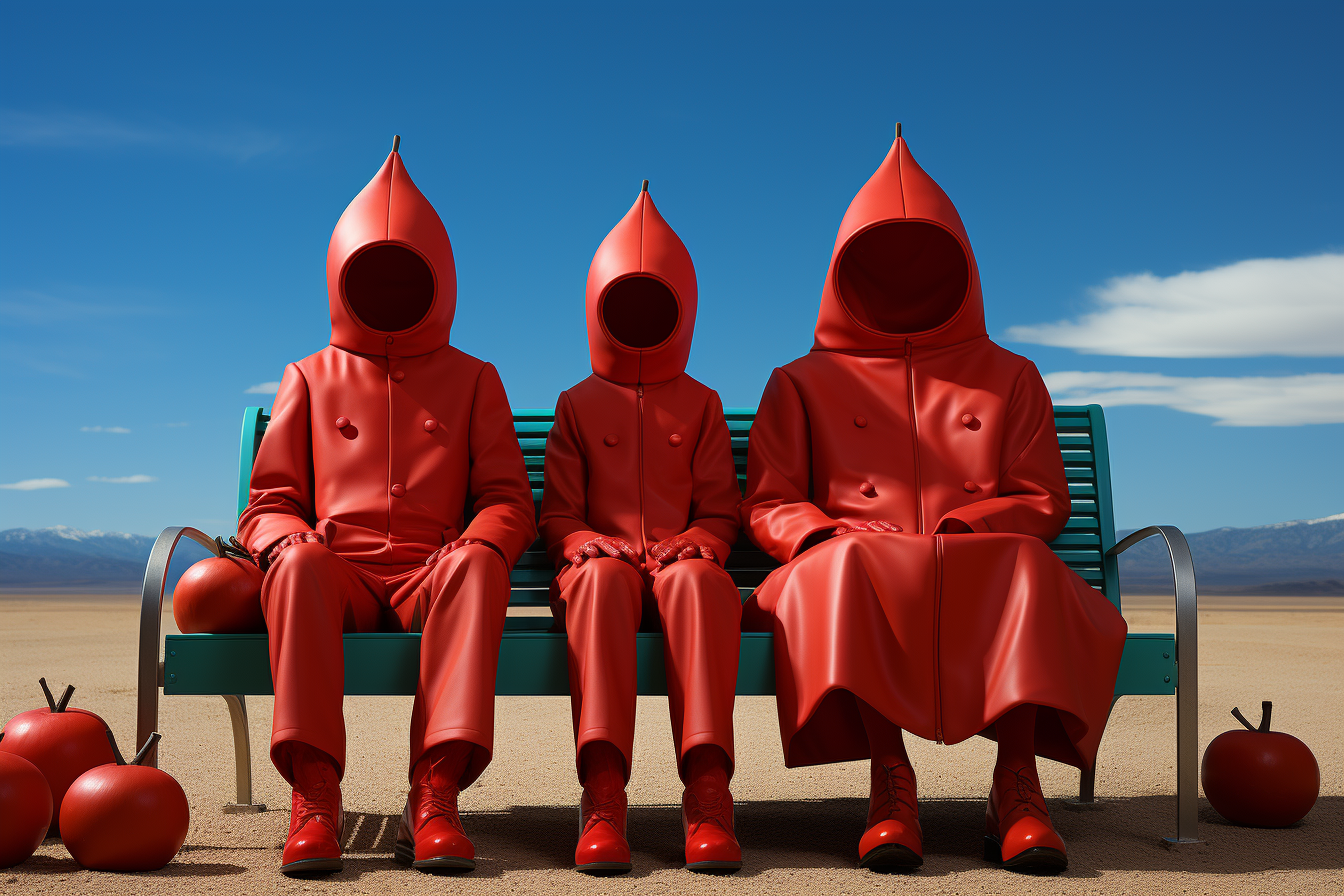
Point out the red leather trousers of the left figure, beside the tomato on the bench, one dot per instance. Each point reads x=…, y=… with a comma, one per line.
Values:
x=311, y=597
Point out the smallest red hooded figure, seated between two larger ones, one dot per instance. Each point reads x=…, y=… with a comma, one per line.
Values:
x=640, y=512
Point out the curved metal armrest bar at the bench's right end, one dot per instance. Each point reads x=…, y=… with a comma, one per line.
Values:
x=1187, y=675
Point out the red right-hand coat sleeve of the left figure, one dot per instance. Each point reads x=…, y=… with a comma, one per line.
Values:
x=499, y=492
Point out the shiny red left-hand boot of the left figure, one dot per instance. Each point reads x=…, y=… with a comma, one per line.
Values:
x=317, y=820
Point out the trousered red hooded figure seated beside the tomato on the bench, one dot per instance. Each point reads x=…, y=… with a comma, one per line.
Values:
x=389, y=494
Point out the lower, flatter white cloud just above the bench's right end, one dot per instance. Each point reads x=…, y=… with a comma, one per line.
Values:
x=1236, y=401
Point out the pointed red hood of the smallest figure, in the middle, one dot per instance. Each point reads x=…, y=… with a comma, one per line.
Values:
x=640, y=300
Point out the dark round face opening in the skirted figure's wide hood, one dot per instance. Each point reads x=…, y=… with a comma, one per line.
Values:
x=904, y=277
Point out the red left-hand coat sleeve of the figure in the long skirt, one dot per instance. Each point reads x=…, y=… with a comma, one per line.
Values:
x=778, y=511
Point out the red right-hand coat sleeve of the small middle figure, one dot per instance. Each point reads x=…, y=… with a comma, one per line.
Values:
x=714, y=492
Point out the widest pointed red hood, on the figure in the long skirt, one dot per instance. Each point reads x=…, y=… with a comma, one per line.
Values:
x=902, y=268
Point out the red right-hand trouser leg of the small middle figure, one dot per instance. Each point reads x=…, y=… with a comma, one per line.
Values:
x=701, y=612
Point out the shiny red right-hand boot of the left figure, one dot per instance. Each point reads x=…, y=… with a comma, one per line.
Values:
x=431, y=836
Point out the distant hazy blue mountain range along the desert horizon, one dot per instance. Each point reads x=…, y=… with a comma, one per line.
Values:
x=1299, y=558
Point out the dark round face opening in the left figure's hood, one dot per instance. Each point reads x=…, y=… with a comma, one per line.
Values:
x=389, y=288
